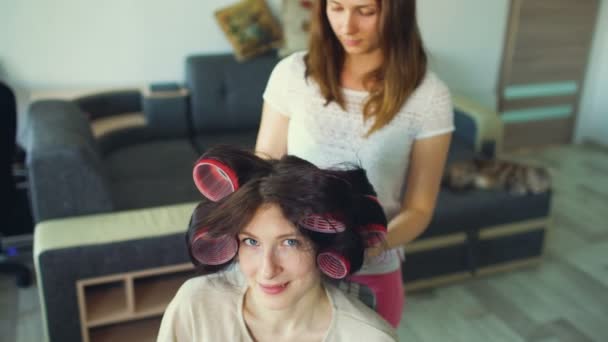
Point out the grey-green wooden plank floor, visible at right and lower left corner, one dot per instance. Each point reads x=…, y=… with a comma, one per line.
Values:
x=563, y=299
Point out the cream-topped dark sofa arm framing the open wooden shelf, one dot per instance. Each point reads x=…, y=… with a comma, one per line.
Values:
x=70, y=249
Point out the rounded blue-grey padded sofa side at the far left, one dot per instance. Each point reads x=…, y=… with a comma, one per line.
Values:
x=65, y=170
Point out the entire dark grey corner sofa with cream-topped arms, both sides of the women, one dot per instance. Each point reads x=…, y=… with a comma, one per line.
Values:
x=138, y=178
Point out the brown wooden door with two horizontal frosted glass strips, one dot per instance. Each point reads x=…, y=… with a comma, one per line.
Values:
x=545, y=56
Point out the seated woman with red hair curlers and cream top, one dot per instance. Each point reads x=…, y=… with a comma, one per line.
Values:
x=271, y=237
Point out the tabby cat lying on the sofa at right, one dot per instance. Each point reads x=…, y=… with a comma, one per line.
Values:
x=493, y=174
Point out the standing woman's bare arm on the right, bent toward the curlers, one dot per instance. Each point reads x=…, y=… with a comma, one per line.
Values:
x=424, y=179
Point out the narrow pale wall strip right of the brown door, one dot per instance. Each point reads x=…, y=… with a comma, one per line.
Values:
x=593, y=110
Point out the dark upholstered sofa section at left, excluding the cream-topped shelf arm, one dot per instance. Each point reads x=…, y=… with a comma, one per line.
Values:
x=73, y=173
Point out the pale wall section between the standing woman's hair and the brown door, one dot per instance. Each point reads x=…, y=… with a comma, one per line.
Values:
x=465, y=40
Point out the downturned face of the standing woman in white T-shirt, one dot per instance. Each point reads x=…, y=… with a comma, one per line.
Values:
x=355, y=23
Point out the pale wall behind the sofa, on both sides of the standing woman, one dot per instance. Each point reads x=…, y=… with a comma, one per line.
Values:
x=67, y=44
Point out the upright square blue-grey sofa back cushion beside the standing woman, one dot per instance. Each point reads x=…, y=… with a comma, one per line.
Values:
x=226, y=94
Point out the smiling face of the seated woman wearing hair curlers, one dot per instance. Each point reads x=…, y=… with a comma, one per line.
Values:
x=277, y=261
